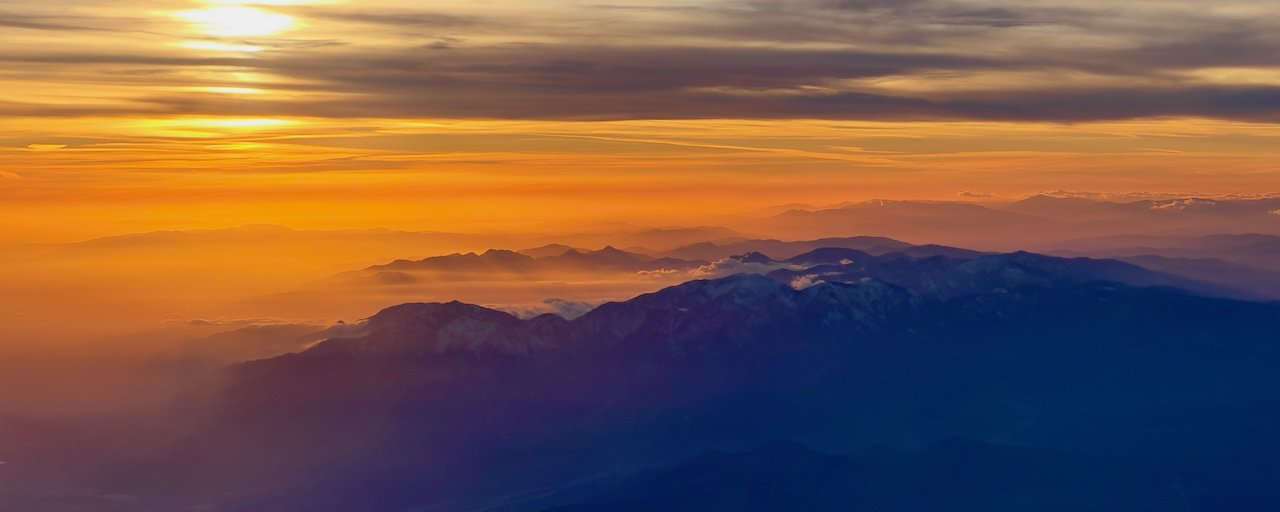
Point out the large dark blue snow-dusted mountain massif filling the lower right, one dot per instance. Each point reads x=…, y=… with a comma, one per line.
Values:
x=1076, y=390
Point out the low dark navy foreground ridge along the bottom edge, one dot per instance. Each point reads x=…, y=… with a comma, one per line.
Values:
x=953, y=476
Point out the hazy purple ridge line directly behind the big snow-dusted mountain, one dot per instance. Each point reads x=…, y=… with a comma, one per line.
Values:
x=1205, y=276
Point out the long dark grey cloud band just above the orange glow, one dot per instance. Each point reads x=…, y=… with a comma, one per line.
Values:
x=611, y=84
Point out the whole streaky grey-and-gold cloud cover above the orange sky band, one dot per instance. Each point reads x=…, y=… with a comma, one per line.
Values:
x=765, y=60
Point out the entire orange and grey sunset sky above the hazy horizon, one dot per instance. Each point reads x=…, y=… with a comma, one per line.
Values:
x=135, y=116
